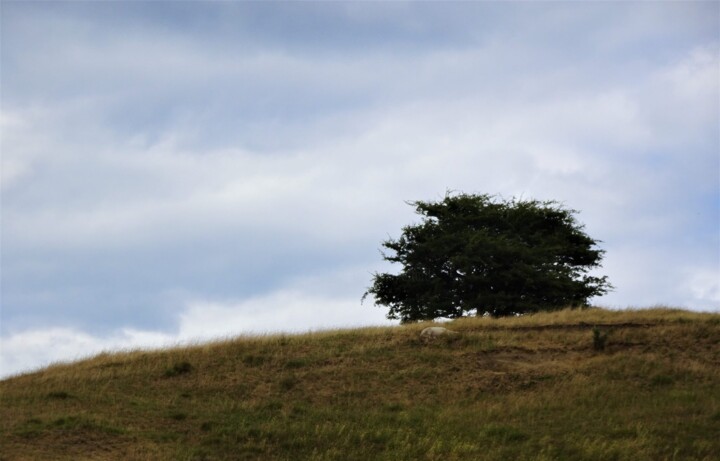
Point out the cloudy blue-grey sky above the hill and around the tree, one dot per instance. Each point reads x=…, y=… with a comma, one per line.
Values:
x=175, y=172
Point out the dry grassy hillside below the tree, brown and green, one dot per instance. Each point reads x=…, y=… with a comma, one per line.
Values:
x=538, y=387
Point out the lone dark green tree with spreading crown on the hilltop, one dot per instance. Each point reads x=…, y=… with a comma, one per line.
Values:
x=476, y=254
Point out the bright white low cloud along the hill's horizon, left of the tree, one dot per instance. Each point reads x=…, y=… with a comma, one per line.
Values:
x=286, y=311
